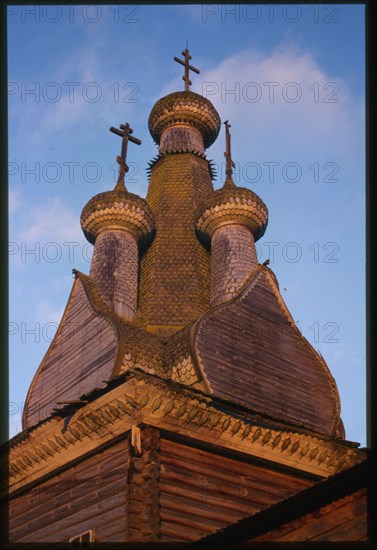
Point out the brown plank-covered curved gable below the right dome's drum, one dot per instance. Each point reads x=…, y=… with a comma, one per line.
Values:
x=253, y=355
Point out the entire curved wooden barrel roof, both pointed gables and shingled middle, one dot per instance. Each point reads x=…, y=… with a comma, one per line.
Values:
x=247, y=351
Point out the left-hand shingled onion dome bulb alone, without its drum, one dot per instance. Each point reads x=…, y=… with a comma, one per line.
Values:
x=118, y=209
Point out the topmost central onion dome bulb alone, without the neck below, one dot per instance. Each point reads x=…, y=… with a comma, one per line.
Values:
x=185, y=108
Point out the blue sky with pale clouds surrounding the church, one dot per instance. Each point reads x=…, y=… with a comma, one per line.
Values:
x=290, y=79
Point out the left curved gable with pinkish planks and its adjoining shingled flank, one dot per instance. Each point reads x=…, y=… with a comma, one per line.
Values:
x=91, y=346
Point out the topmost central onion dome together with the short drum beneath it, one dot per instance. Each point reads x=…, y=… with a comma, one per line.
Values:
x=184, y=121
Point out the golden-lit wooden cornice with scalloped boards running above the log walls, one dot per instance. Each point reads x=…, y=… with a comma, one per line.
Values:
x=148, y=400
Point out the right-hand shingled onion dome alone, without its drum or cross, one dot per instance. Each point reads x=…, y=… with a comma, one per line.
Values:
x=231, y=205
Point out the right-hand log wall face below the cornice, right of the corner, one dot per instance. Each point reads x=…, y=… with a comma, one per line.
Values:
x=201, y=492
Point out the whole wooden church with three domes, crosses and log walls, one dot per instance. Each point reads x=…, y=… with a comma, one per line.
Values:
x=178, y=401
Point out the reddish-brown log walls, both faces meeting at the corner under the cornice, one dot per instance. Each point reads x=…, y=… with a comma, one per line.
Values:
x=155, y=490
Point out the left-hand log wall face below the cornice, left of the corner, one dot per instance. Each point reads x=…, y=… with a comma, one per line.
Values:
x=90, y=494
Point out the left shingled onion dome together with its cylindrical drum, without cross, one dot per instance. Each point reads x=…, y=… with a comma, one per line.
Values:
x=118, y=223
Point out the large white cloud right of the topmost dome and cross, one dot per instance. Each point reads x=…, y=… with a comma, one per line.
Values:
x=324, y=113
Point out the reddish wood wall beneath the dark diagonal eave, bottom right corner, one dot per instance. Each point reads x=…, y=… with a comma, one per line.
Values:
x=342, y=520
